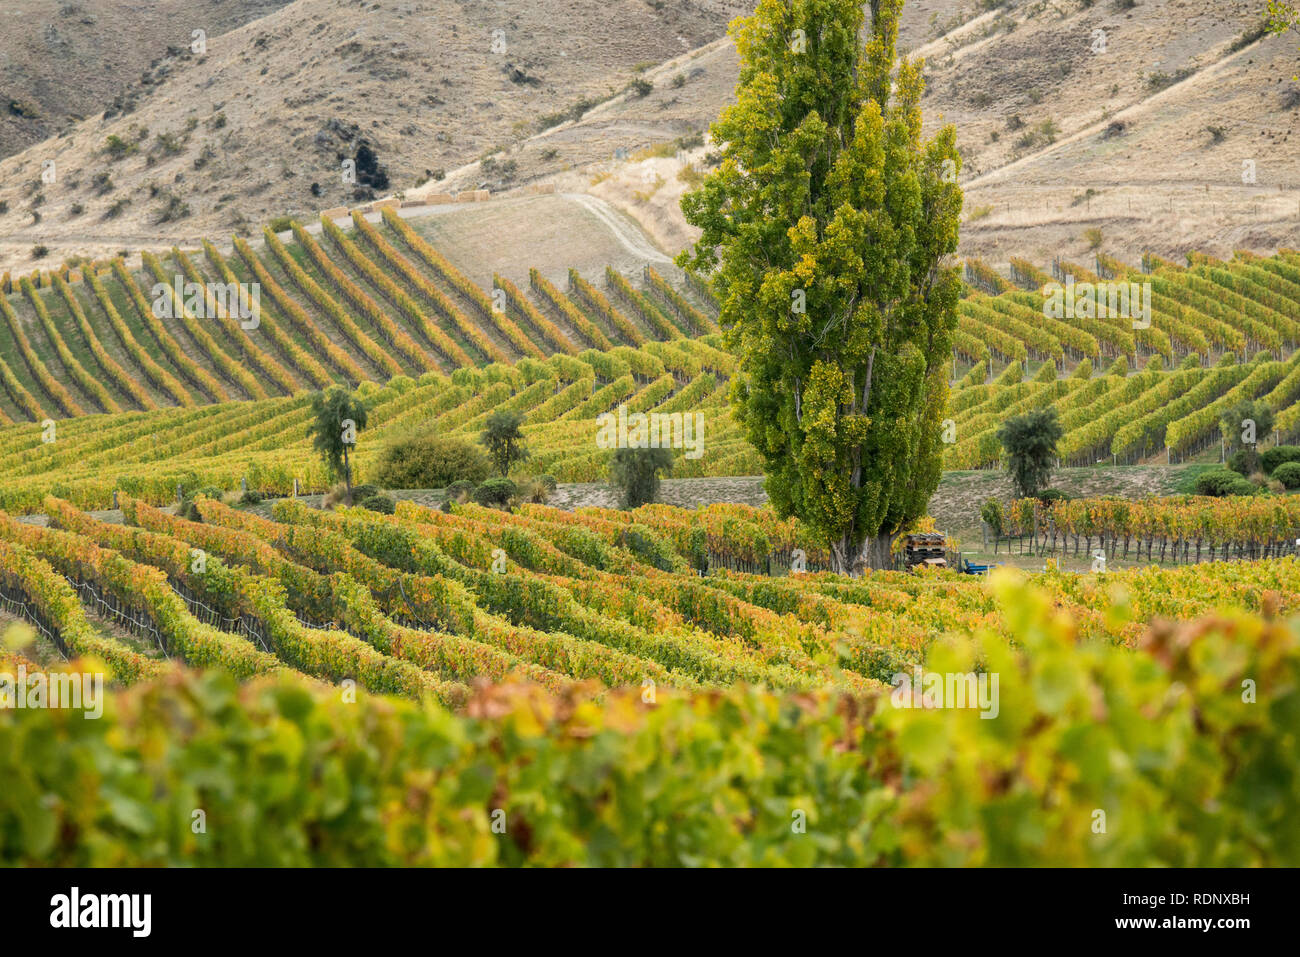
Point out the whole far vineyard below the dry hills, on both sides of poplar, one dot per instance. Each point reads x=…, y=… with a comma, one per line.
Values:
x=380, y=309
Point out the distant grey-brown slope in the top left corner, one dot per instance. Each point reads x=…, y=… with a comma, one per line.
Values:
x=68, y=60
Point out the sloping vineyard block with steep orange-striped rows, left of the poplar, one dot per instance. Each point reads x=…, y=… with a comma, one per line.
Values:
x=349, y=306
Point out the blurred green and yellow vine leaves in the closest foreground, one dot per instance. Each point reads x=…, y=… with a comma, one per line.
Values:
x=1188, y=746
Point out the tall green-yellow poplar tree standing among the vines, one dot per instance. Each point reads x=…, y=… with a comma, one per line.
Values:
x=829, y=229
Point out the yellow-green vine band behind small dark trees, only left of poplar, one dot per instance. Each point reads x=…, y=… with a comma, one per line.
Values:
x=265, y=443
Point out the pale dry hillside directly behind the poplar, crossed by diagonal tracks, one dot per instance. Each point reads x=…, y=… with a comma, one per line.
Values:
x=1143, y=140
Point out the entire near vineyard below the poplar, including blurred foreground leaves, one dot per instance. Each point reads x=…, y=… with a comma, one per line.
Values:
x=430, y=604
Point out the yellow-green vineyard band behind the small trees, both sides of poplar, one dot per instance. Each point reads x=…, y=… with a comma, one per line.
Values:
x=1112, y=417
